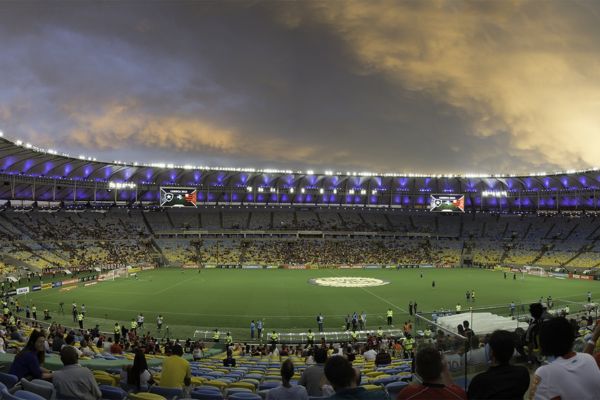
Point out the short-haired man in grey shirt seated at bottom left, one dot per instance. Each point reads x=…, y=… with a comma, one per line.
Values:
x=74, y=381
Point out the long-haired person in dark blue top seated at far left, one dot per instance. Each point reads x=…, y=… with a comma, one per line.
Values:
x=28, y=362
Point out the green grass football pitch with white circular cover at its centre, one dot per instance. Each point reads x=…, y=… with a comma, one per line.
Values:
x=288, y=300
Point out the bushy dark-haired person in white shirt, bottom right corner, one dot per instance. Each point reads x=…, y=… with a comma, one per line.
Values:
x=569, y=375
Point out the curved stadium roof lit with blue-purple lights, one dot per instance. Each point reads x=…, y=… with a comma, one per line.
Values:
x=32, y=172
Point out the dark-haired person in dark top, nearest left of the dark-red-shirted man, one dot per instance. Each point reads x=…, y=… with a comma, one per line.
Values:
x=345, y=380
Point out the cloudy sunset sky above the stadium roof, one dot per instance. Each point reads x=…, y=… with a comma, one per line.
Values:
x=386, y=86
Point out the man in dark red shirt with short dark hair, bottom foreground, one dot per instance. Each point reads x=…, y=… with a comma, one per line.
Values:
x=437, y=383
